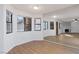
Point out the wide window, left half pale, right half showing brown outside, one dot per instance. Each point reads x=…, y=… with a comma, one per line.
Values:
x=23, y=23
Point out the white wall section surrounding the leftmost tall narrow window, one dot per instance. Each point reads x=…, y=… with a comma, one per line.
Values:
x=9, y=39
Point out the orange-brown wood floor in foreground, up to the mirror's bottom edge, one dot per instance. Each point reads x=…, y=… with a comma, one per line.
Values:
x=42, y=47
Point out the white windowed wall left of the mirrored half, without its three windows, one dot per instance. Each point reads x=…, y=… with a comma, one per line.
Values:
x=16, y=38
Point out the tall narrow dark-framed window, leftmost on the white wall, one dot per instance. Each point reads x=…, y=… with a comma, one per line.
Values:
x=8, y=22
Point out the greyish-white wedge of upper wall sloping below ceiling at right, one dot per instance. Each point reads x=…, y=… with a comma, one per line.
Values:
x=70, y=12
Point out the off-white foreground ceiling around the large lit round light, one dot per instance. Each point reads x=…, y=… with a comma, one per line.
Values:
x=43, y=8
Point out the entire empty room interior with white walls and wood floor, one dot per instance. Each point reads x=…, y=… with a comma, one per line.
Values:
x=39, y=28
